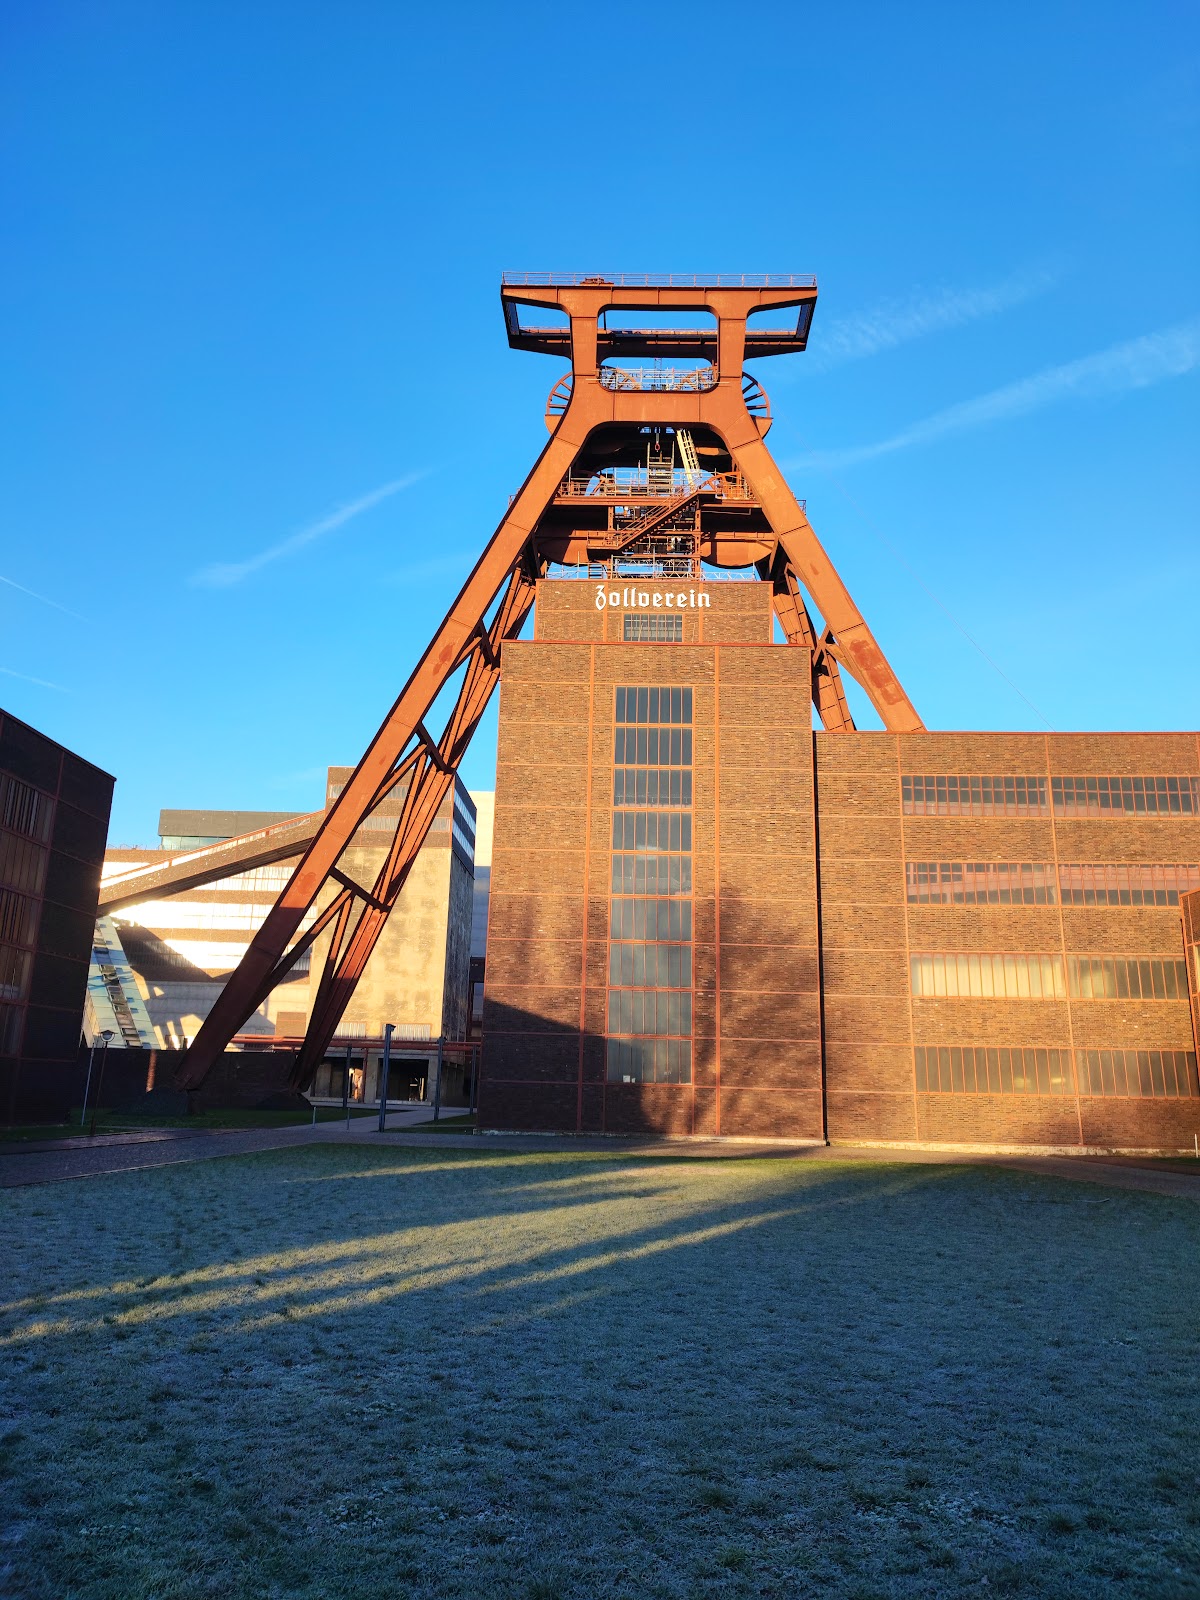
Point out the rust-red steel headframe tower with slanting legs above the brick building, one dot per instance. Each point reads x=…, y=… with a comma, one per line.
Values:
x=649, y=471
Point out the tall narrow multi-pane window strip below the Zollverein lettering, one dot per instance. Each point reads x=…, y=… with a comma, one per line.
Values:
x=650, y=919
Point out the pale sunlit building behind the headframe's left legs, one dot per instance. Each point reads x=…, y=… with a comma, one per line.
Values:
x=180, y=945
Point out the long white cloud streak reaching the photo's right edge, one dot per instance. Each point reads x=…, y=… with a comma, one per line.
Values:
x=1132, y=366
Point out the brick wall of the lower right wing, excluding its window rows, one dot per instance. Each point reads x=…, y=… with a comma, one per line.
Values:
x=870, y=930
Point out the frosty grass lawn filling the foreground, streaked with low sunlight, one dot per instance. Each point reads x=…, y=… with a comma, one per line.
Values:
x=338, y=1372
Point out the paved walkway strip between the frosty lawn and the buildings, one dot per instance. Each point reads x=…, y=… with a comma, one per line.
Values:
x=42, y=1164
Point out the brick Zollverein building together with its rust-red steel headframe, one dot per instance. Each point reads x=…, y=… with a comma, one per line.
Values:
x=719, y=906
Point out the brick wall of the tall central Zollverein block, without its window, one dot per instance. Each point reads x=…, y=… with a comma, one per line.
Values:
x=758, y=1038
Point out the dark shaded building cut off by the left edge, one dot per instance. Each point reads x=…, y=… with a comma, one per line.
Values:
x=54, y=820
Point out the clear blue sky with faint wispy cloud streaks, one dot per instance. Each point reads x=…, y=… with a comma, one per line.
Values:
x=252, y=262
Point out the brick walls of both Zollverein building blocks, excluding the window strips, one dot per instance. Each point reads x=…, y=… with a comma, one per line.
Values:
x=806, y=929
